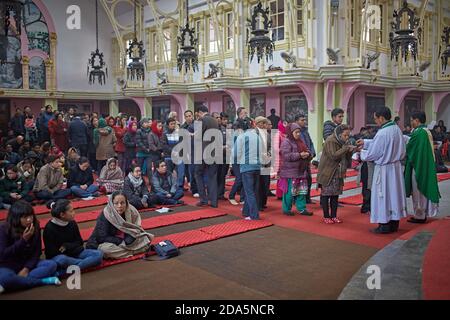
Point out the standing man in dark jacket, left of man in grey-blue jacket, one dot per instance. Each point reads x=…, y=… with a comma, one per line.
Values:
x=208, y=167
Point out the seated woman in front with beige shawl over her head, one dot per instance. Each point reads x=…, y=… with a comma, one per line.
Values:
x=118, y=232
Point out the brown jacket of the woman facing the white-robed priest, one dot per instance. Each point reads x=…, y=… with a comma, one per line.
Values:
x=334, y=160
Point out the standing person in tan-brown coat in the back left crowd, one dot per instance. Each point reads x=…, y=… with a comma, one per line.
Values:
x=104, y=140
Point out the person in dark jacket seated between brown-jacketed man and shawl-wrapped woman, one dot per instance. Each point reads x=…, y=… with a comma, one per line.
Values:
x=81, y=180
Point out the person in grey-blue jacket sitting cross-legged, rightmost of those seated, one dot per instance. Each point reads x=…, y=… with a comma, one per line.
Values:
x=164, y=184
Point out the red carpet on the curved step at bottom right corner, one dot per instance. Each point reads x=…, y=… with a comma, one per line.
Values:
x=436, y=265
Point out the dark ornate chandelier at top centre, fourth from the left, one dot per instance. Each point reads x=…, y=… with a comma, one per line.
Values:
x=260, y=43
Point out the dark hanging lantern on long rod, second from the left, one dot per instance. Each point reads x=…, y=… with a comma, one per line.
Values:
x=135, y=52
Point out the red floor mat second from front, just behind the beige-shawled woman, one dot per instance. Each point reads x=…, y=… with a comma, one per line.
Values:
x=165, y=220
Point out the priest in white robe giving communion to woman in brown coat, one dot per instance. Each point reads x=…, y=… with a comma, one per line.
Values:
x=386, y=150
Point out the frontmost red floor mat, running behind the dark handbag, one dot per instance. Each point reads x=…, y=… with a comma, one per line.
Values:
x=192, y=237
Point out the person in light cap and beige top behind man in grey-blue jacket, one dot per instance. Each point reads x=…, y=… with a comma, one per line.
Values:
x=264, y=185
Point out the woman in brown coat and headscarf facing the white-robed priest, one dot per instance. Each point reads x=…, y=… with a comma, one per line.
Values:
x=336, y=158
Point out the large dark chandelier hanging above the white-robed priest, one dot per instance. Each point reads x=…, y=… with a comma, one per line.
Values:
x=404, y=41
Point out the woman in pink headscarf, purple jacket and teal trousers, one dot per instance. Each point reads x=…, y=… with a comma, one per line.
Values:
x=293, y=171
